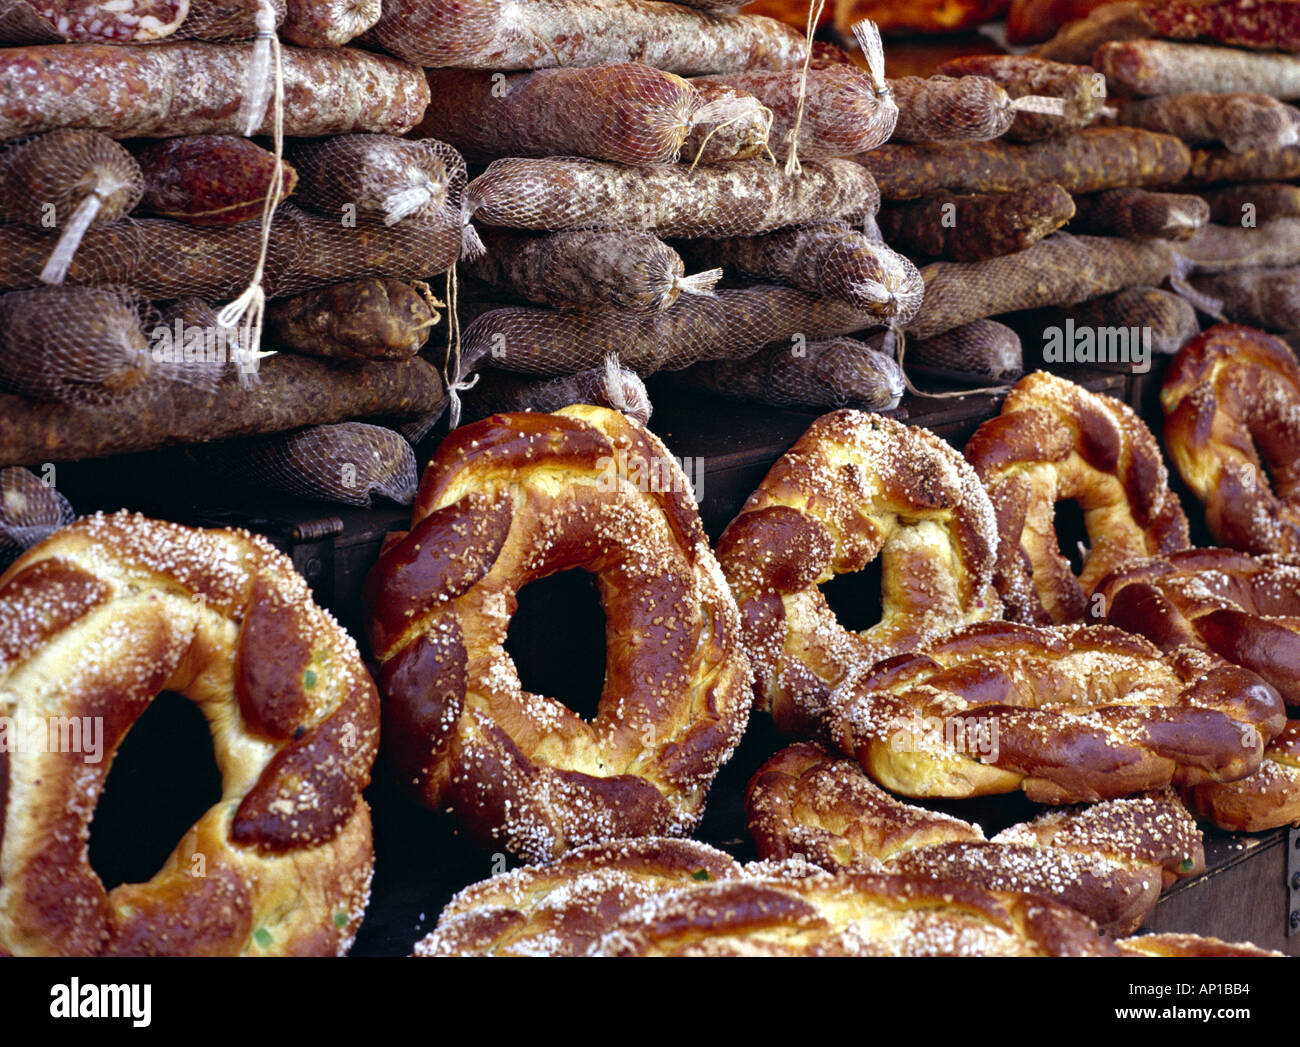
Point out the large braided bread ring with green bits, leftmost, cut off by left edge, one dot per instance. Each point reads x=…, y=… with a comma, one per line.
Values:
x=96, y=622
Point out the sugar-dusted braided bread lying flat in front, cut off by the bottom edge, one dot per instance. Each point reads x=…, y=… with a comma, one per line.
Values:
x=655, y=897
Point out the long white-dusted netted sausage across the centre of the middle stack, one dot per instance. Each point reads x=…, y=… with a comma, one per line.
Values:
x=744, y=198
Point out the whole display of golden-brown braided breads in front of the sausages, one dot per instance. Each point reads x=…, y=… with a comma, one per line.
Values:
x=995, y=669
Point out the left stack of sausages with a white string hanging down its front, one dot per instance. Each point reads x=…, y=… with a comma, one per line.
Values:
x=162, y=158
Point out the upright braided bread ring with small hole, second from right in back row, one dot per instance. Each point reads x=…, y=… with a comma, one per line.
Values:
x=1056, y=442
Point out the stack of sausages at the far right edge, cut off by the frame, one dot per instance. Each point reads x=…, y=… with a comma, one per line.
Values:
x=1221, y=76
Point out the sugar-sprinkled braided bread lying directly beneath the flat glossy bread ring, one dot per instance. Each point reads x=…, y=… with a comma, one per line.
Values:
x=1107, y=862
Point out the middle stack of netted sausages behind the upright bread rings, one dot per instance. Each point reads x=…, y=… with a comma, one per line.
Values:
x=643, y=154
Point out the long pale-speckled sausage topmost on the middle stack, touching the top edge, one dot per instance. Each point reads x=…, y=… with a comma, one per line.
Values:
x=544, y=34
